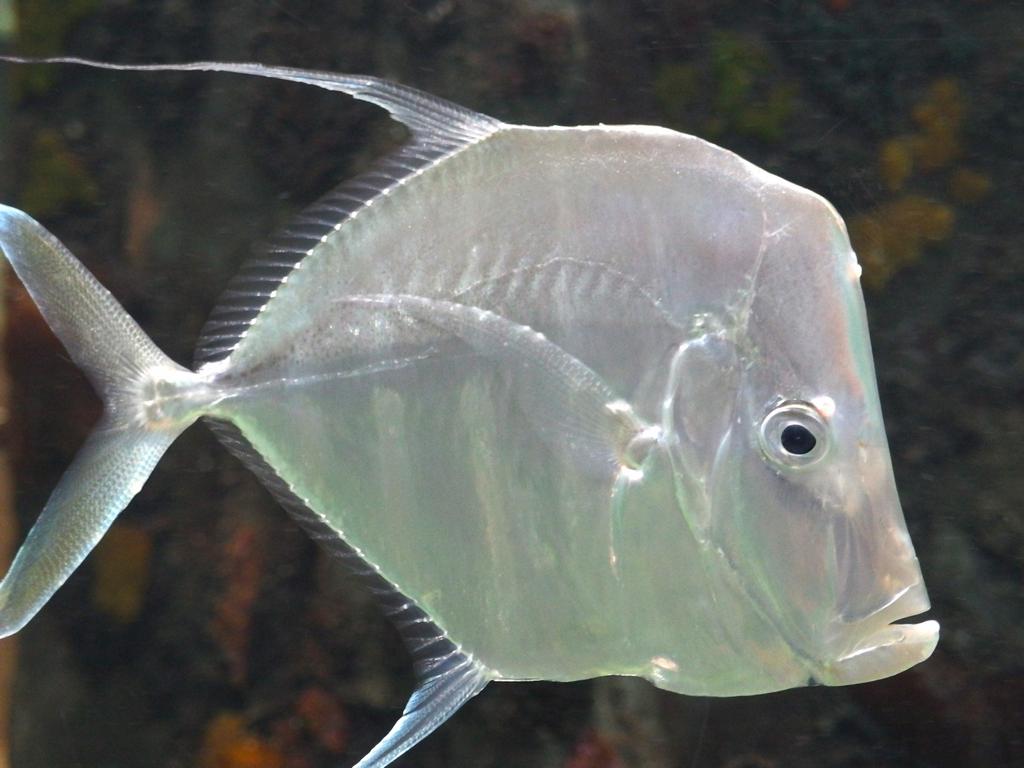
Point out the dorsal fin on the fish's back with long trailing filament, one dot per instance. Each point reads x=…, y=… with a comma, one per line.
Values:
x=440, y=130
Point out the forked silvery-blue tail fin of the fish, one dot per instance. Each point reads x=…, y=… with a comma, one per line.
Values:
x=126, y=369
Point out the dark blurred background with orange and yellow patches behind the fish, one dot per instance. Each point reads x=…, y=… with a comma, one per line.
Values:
x=210, y=632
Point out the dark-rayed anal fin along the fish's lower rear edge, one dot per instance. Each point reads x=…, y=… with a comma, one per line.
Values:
x=447, y=676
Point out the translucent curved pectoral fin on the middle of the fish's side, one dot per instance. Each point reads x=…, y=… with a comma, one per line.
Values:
x=568, y=404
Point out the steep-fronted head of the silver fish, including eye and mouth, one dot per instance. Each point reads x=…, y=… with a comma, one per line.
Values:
x=803, y=503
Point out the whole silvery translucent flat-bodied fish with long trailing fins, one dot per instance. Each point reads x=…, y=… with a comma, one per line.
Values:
x=574, y=402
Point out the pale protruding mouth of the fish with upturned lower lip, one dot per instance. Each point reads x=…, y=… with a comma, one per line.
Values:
x=886, y=648
